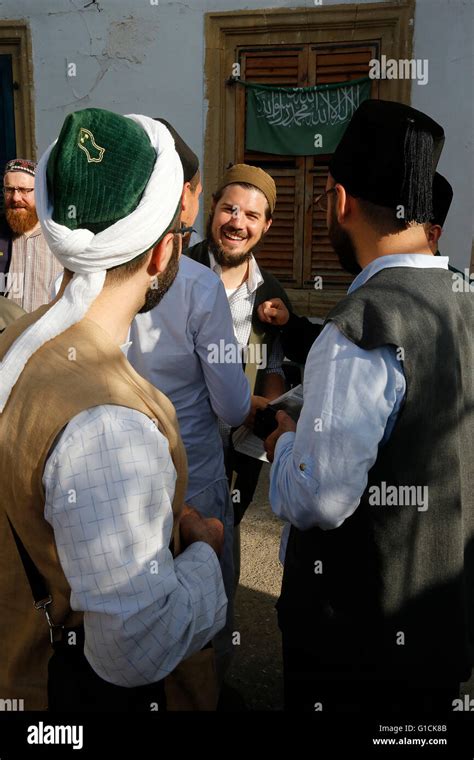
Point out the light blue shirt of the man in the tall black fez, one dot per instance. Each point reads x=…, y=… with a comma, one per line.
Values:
x=351, y=401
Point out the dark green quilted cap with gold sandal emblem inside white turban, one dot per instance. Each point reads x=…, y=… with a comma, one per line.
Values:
x=98, y=169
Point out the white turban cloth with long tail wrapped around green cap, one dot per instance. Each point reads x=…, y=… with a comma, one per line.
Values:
x=89, y=255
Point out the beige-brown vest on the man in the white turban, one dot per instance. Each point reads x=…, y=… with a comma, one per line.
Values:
x=79, y=369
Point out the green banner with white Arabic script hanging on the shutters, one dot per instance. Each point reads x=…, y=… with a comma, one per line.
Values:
x=301, y=121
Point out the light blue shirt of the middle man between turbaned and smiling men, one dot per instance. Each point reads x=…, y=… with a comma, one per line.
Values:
x=171, y=347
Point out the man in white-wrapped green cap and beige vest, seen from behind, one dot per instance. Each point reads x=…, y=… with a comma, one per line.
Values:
x=93, y=471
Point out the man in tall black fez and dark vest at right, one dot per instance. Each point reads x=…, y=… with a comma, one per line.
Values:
x=376, y=480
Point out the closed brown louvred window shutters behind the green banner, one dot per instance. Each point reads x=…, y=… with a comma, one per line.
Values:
x=297, y=248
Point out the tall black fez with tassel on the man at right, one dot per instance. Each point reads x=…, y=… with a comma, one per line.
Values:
x=388, y=156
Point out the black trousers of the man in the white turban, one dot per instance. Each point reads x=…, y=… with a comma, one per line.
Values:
x=73, y=686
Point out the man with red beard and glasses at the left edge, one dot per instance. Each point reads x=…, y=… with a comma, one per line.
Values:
x=27, y=265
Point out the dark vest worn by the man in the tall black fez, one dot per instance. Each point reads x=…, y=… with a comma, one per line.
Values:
x=396, y=594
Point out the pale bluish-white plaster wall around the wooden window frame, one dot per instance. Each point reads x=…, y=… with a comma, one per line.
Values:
x=137, y=57
